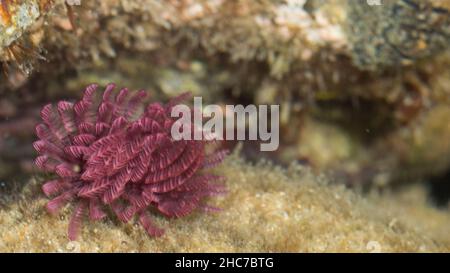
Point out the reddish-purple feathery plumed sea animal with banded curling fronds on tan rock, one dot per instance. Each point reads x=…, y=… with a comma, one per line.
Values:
x=111, y=152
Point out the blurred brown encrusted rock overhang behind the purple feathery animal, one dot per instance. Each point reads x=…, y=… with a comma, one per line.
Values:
x=295, y=53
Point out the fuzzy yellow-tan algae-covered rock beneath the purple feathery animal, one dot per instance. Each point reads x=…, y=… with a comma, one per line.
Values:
x=267, y=209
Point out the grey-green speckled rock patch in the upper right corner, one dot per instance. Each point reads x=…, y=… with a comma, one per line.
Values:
x=397, y=32
